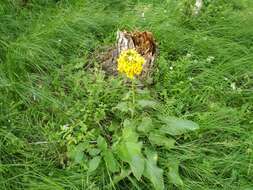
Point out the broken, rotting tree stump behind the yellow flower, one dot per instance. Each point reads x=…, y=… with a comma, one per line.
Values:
x=142, y=42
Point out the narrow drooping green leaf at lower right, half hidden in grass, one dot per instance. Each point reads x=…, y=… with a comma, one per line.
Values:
x=173, y=174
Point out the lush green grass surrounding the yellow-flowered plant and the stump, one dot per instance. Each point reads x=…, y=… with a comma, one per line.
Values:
x=204, y=72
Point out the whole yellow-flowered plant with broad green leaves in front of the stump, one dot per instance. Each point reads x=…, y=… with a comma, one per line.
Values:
x=126, y=145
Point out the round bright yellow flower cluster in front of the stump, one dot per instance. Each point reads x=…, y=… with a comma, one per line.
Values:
x=131, y=63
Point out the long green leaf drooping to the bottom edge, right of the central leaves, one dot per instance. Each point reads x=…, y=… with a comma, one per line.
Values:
x=152, y=172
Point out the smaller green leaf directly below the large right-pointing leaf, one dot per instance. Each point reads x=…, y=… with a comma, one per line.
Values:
x=161, y=140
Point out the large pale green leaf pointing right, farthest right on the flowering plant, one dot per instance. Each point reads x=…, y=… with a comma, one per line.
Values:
x=176, y=126
